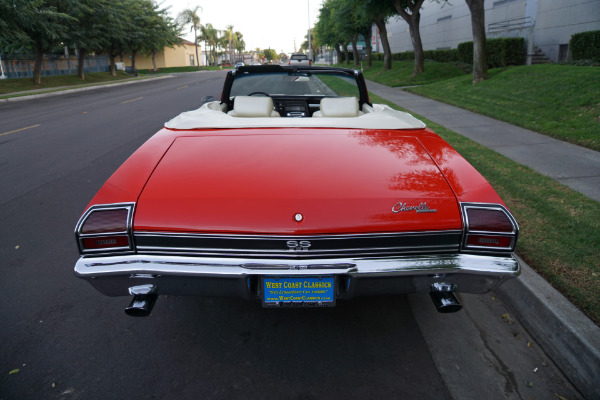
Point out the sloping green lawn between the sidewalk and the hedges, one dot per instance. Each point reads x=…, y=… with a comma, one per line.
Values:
x=561, y=101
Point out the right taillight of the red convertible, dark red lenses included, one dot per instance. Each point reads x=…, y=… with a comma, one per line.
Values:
x=488, y=227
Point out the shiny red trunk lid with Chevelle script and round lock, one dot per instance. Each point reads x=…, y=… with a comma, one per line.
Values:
x=257, y=181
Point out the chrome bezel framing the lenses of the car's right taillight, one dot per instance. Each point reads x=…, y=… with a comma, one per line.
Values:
x=511, y=235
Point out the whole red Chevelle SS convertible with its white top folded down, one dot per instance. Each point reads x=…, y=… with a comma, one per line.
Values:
x=294, y=190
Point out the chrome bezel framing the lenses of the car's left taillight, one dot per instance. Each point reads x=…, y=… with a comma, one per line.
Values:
x=118, y=233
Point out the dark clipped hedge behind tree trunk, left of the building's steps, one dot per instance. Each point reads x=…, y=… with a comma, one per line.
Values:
x=500, y=52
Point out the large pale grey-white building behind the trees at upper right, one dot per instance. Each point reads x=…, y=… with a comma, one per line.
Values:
x=545, y=24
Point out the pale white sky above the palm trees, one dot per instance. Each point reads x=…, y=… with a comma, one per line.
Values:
x=265, y=24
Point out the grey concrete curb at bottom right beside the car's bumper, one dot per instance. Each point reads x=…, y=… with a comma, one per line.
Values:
x=569, y=337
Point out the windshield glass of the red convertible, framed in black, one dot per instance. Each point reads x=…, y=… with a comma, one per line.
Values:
x=295, y=84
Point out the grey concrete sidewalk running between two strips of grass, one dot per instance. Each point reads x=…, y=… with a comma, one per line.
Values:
x=571, y=165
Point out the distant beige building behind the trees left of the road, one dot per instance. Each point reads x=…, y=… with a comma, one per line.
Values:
x=183, y=55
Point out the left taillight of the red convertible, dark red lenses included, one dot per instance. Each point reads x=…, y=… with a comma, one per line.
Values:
x=105, y=228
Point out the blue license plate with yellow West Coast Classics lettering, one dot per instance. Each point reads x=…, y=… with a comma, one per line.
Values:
x=298, y=291
